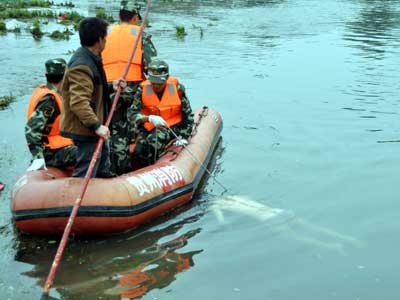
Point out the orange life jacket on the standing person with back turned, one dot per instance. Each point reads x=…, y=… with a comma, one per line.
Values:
x=118, y=49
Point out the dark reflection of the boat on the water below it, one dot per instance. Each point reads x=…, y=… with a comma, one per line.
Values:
x=124, y=267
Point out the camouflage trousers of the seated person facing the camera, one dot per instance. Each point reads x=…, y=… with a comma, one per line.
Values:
x=151, y=144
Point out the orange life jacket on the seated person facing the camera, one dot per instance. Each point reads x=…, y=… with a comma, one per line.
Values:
x=169, y=108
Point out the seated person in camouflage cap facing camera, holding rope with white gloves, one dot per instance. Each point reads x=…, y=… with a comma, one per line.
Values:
x=160, y=111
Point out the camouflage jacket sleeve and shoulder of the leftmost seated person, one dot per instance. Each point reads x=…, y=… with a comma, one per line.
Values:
x=46, y=112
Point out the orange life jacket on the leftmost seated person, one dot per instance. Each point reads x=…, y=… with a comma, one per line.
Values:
x=55, y=140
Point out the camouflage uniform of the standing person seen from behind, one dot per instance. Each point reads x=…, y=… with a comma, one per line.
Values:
x=120, y=133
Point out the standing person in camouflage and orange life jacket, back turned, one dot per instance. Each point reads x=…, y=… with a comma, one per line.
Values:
x=120, y=41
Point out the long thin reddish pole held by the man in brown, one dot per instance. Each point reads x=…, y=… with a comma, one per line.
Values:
x=85, y=182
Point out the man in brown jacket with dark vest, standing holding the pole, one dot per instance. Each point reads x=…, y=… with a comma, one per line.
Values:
x=86, y=99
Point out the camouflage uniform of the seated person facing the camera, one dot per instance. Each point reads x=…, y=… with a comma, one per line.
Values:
x=149, y=145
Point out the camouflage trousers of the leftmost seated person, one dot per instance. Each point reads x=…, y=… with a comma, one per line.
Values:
x=60, y=158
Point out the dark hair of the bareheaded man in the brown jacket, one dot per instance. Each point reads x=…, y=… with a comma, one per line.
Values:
x=91, y=30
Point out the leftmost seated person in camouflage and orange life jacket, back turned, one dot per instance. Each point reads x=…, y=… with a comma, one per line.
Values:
x=42, y=130
